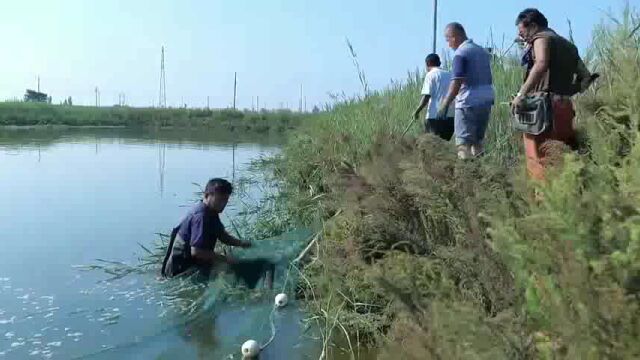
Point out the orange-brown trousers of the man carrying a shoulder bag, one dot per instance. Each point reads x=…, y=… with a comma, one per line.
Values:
x=563, y=114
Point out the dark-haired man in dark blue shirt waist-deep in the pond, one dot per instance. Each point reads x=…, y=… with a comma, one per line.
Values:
x=193, y=242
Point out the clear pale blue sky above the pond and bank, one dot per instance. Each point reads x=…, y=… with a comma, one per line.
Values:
x=274, y=45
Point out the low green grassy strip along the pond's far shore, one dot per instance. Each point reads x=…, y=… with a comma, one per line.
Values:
x=34, y=114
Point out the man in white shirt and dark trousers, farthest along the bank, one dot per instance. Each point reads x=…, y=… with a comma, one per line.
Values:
x=434, y=90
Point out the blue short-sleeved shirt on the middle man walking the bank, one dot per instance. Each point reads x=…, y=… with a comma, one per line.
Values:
x=472, y=64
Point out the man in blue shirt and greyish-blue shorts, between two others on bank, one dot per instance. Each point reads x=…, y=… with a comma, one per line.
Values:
x=472, y=90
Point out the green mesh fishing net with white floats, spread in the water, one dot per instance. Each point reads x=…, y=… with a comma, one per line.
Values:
x=212, y=319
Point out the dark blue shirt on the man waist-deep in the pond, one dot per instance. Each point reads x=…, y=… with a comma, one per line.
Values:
x=201, y=228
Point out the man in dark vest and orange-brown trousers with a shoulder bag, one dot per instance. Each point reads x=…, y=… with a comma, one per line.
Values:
x=555, y=68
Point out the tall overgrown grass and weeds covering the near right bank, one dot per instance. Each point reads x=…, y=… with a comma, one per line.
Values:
x=423, y=256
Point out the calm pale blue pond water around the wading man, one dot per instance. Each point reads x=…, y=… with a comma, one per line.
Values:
x=71, y=196
